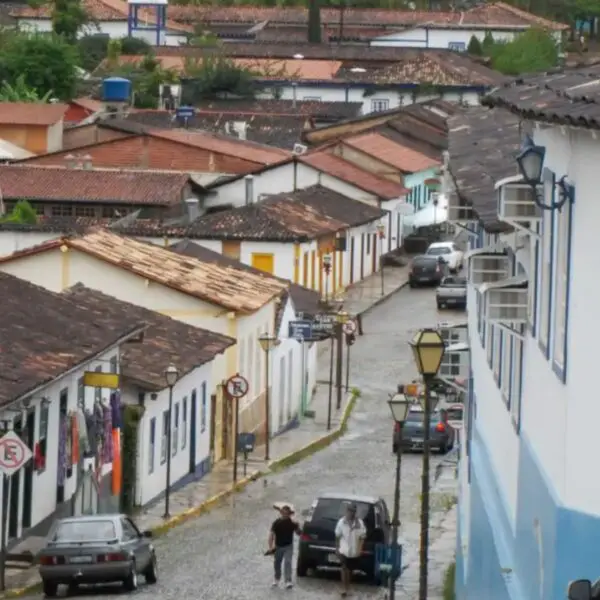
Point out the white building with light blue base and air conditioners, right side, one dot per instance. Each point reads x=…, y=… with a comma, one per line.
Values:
x=529, y=508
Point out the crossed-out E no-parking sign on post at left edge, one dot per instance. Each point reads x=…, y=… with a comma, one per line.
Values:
x=14, y=453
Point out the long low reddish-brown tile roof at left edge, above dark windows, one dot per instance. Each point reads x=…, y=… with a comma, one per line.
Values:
x=94, y=185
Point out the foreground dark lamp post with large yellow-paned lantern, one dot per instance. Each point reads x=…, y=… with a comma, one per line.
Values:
x=428, y=349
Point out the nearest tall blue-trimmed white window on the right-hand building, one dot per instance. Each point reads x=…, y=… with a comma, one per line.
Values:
x=562, y=239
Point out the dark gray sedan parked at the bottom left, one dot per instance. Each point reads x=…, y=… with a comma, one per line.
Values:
x=96, y=549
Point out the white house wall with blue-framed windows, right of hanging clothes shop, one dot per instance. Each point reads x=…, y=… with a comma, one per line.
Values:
x=151, y=482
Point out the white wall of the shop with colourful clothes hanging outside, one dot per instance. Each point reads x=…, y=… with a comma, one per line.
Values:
x=45, y=482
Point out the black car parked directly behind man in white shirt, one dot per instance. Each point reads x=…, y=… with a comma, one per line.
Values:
x=317, y=542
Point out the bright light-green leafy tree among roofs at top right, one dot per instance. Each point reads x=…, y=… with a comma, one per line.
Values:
x=533, y=51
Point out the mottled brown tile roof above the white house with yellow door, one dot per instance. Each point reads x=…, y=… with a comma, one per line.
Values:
x=305, y=214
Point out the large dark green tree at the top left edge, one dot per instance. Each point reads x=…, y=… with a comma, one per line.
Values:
x=46, y=63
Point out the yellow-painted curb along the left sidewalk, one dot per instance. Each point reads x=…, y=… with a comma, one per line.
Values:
x=276, y=465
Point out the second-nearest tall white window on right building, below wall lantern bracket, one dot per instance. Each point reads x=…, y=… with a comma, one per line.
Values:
x=545, y=270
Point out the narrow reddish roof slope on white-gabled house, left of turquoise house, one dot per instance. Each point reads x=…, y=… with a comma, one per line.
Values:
x=336, y=167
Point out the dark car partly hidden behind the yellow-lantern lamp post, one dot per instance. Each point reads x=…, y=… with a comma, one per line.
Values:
x=441, y=435
